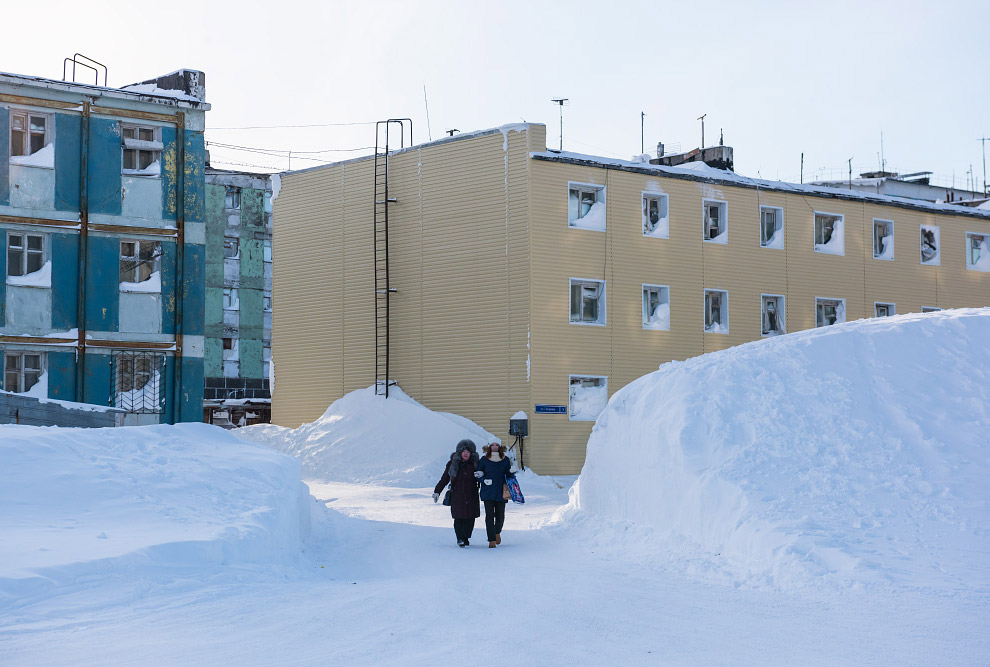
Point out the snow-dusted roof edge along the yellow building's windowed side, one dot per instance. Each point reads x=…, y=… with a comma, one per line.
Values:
x=699, y=171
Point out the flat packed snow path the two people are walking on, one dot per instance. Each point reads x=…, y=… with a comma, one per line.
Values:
x=382, y=582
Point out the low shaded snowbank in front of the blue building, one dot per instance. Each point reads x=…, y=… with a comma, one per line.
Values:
x=189, y=495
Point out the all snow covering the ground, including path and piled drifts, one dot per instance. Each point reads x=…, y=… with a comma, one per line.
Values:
x=712, y=524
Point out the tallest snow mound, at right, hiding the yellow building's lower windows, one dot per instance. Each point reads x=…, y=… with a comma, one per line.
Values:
x=856, y=453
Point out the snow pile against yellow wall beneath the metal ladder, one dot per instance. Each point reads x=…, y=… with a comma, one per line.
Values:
x=366, y=439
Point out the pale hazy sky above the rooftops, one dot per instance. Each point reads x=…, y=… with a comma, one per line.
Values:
x=778, y=77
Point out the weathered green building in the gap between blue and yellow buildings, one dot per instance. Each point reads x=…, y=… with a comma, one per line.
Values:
x=238, y=298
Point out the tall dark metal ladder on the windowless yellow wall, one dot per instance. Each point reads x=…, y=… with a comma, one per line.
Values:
x=384, y=132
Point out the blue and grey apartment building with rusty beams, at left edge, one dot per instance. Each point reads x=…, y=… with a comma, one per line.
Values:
x=102, y=205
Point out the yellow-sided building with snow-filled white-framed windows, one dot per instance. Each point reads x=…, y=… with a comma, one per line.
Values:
x=526, y=277
